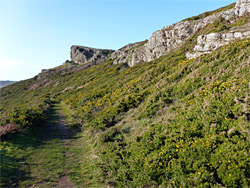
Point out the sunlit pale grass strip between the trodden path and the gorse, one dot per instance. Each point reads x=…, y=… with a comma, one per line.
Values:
x=83, y=154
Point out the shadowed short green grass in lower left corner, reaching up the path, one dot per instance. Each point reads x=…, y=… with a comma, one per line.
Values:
x=34, y=157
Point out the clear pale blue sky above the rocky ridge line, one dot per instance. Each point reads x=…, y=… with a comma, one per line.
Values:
x=38, y=34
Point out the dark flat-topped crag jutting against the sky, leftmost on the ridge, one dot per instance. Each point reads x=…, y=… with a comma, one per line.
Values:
x=82, y=54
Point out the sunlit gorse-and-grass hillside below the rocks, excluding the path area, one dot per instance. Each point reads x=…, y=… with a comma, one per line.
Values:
x=170, y=122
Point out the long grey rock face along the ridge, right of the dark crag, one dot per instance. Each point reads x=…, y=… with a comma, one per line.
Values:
x=164, y=40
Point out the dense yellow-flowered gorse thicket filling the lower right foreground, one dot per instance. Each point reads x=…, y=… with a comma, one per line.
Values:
x=197, y=148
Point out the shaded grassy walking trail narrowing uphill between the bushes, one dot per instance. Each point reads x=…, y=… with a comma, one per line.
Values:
x=49, y=164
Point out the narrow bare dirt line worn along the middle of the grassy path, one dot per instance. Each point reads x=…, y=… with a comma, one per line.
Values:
x=64, y=181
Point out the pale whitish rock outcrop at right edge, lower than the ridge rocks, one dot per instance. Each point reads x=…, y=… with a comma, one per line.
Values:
x=209, y=43
